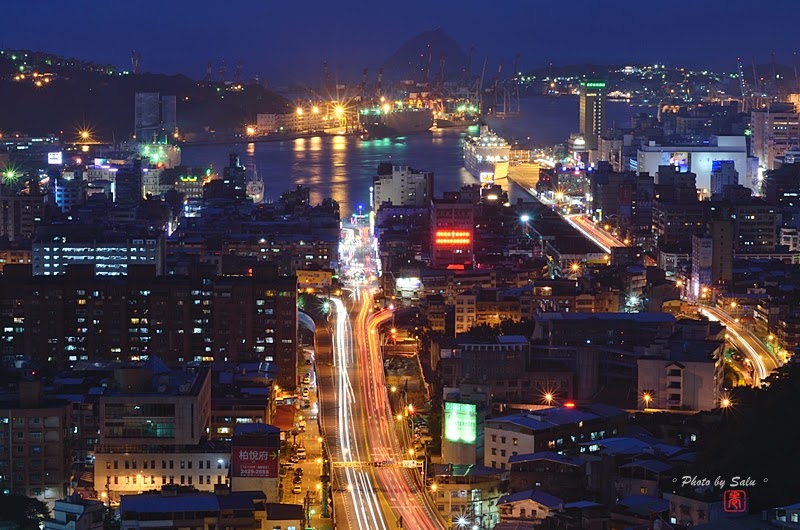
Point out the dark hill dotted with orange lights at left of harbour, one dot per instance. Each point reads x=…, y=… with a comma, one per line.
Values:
x=44, y=93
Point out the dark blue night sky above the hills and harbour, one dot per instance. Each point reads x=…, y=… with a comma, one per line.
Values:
x=287, y=41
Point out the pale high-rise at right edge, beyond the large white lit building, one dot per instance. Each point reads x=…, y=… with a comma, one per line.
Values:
x=775, y=131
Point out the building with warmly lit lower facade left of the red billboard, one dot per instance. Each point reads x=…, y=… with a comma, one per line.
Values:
x=153, y=428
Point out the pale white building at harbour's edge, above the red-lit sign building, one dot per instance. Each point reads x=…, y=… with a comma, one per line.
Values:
x=401, y=186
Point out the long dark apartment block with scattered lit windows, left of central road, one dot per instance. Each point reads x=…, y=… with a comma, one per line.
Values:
x=82, y=315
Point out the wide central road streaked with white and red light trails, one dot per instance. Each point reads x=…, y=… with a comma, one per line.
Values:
x=357, y=421
